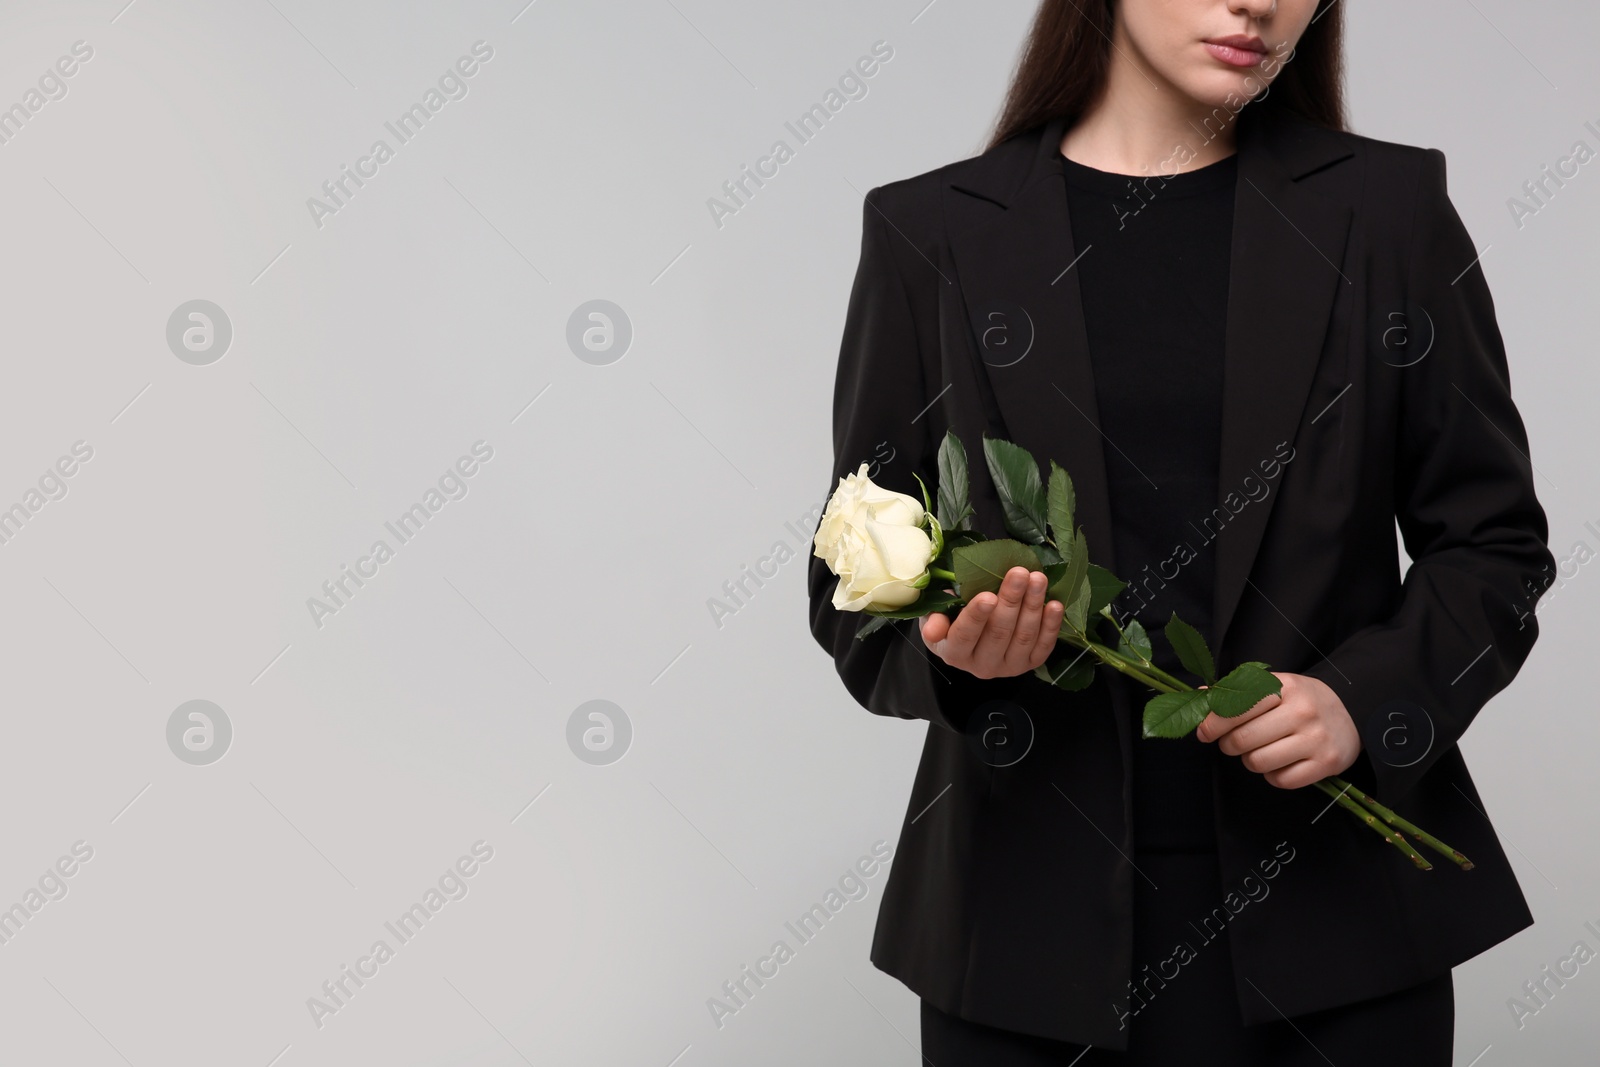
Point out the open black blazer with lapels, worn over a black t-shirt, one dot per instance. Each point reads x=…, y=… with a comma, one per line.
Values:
x=1361, y=346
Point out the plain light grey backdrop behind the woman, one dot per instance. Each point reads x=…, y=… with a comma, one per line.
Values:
x=433, y=711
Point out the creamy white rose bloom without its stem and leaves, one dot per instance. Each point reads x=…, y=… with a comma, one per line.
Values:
x=873, y=540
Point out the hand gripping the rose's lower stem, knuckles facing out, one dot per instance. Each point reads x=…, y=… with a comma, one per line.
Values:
x=1292, y=740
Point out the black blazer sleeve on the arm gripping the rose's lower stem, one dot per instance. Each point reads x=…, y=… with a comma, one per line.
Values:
x=1468, y=514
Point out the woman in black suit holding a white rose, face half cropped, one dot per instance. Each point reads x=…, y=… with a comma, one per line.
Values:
x=1257, y=342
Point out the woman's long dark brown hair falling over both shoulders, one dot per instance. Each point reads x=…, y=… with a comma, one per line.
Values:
x=1065, y=63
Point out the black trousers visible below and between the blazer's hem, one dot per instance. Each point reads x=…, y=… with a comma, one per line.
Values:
x=1194, y=1021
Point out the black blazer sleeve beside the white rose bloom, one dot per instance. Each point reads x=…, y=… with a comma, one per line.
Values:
x=882, y=417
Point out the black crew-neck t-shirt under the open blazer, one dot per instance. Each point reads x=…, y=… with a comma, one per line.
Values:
x=1153, y=273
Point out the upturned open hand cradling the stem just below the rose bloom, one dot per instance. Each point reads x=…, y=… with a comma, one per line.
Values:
x=999, y=636
